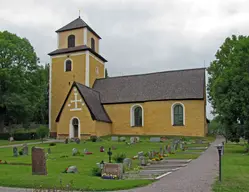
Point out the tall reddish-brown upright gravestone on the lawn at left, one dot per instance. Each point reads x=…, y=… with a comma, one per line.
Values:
x=38, y=161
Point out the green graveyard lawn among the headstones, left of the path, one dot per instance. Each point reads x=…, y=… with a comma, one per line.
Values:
x=21, y=176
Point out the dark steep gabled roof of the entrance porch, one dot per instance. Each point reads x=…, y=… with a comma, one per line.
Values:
x=92, y=100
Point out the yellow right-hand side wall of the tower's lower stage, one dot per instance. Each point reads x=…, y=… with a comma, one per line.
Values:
x=92, y=70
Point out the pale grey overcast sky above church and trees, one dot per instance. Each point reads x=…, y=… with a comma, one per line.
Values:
x=138, y=36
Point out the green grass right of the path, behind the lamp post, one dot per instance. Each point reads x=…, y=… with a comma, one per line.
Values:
x=235, y=170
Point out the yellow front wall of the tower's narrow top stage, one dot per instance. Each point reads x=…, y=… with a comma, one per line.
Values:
x=63, y=37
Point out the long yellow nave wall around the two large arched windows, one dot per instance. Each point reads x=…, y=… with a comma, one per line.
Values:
x=157, y=119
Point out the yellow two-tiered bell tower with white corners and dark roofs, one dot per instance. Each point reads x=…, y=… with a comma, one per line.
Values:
x=77, y=59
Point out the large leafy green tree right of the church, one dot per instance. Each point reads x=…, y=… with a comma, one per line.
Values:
x=228, y=86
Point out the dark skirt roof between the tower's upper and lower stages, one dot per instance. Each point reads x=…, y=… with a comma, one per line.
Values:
x=76, y=49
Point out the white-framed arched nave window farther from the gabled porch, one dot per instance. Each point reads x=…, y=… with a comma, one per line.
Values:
x=178, y=114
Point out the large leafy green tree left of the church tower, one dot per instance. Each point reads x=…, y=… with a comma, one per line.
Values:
x=18, y=73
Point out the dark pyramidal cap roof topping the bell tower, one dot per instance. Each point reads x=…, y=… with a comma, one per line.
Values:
x=77, y=24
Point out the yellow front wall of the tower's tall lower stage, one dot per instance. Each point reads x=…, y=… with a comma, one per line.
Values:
x=61, y=79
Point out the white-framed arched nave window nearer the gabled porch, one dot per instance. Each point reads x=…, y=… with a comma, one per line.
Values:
x=137, y=116
